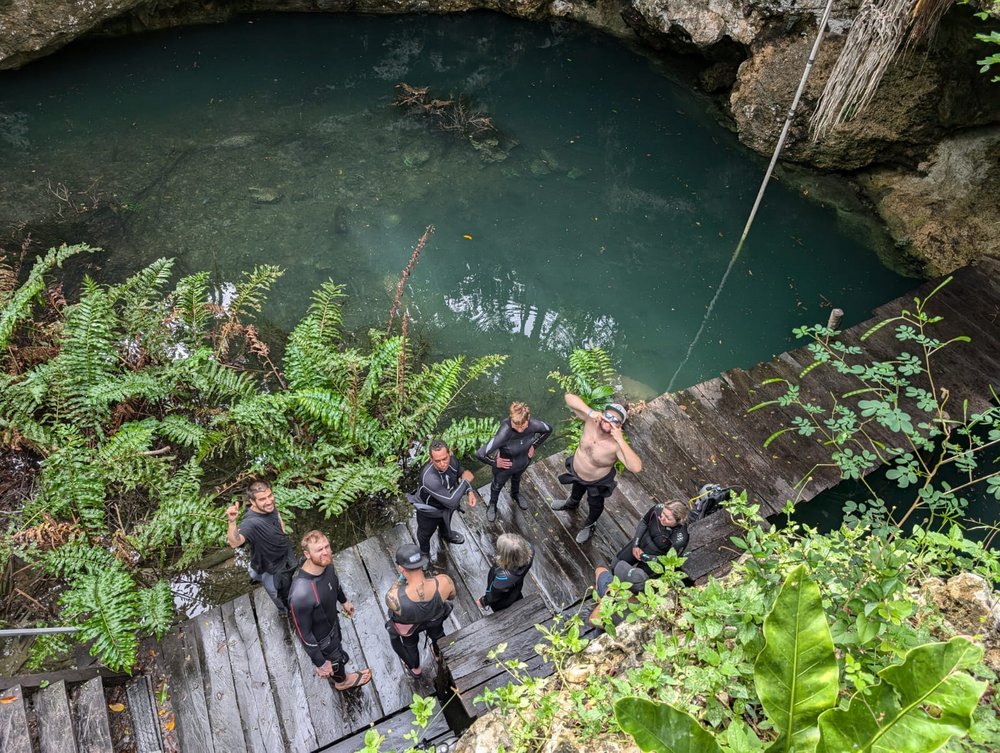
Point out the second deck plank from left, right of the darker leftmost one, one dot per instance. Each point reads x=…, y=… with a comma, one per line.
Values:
x=220, y=691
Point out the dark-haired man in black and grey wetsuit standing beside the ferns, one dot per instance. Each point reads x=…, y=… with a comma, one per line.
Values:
x=443, y=483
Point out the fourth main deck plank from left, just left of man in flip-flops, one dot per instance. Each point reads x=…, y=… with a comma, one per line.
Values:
x=276, y=643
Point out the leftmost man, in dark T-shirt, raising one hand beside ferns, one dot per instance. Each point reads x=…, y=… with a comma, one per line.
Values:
x=272, y=558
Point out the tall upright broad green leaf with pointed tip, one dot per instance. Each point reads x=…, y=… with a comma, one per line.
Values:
x=796, y=672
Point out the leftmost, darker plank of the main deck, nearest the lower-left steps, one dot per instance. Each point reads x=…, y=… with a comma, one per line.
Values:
x=179, y=650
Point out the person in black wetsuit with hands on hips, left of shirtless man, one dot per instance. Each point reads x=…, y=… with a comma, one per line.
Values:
x=510, y=451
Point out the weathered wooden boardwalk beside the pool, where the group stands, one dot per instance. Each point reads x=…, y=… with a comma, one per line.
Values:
x=239, y=680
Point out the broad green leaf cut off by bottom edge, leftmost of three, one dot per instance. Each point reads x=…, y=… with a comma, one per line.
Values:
x=662, y=728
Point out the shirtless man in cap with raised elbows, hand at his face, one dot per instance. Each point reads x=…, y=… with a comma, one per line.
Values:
x=591, y=468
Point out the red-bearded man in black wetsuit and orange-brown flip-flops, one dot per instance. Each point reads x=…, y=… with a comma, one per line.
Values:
x=314, y=598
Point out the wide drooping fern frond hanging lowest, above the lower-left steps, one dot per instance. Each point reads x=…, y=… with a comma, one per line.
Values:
x=105, y=607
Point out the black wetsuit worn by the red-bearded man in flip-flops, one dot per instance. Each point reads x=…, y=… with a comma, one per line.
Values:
x=313, y=601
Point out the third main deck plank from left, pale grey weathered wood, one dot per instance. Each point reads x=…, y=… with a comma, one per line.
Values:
x=258, y=712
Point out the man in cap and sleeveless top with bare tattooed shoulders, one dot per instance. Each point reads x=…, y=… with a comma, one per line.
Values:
x=417, y=604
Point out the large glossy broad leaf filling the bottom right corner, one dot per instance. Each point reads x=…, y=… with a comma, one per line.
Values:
x=917, y=707
